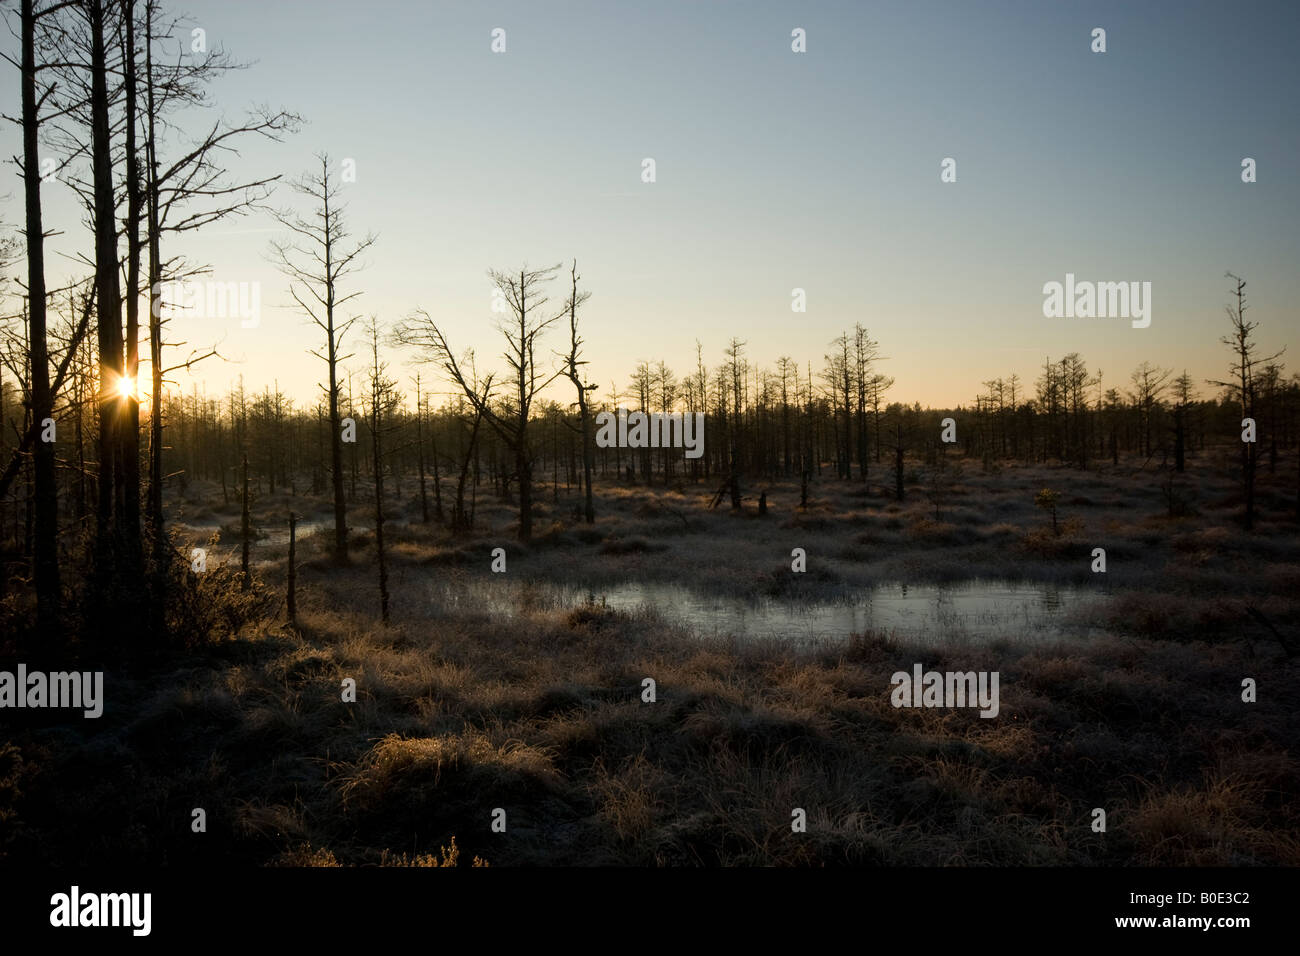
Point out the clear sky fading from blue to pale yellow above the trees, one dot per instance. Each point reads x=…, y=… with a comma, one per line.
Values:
x=774, y=171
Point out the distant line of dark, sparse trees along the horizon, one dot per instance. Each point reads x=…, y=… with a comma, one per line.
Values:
x=778, y=423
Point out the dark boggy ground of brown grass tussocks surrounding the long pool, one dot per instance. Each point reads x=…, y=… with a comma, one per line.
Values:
x=461, y=710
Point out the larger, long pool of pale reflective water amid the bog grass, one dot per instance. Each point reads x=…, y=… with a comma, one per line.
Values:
x=974, y=611
